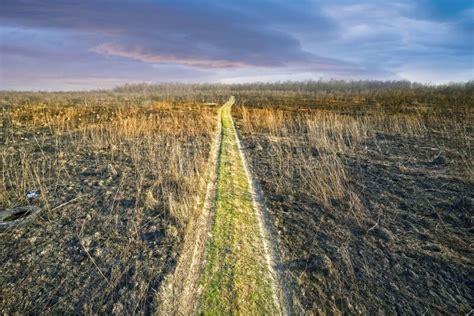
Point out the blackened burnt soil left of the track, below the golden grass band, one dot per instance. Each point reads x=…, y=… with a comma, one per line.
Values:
x=105, y=249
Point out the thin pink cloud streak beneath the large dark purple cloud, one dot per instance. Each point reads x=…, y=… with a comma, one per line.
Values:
x=153, y=58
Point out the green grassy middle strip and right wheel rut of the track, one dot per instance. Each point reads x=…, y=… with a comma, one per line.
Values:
x=236, y=278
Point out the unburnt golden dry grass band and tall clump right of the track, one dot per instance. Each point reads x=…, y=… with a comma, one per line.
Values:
x=322, y=137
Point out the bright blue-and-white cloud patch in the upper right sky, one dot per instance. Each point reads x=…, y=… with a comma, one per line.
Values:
x=394, y=34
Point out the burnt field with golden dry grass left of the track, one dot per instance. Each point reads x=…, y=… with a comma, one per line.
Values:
x=117, y=177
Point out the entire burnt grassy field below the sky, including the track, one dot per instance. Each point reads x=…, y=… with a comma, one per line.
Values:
x=366, y=188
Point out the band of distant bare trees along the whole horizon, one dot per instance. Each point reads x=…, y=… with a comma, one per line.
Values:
x=388, y=93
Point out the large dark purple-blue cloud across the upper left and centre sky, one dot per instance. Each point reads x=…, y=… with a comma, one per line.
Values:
x=193, y=34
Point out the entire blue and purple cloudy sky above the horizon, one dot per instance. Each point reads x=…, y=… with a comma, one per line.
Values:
x=95, y=44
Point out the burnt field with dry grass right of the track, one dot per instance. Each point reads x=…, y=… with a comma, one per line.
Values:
x=371, y=197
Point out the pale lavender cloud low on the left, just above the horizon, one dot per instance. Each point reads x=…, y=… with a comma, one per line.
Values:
x=32, y=59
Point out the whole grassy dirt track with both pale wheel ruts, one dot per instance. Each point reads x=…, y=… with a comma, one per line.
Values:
x=228, y=262
